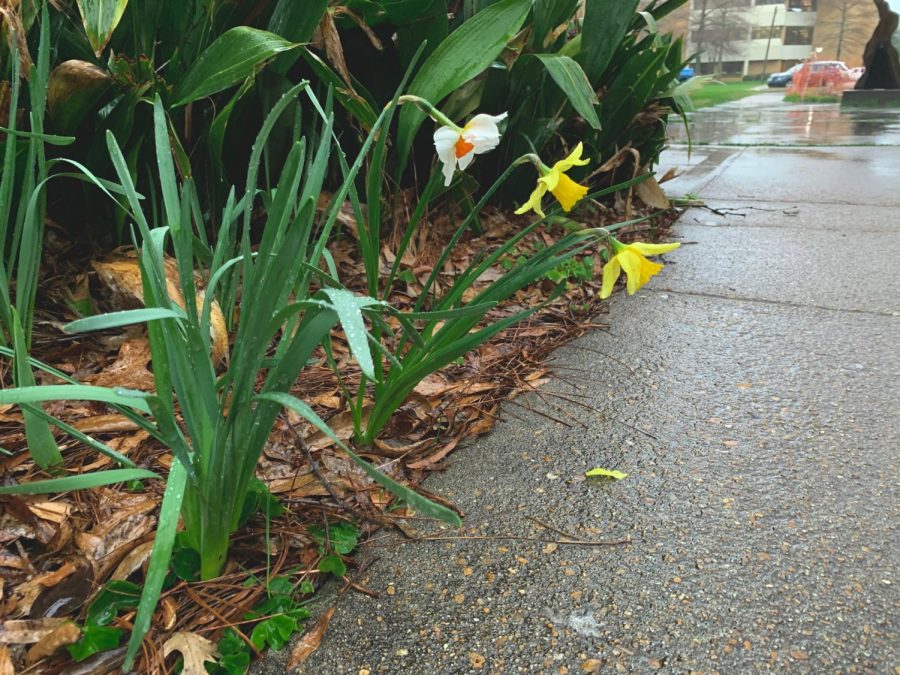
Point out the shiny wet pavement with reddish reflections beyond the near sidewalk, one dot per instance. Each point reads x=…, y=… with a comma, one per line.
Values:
x=766, y=119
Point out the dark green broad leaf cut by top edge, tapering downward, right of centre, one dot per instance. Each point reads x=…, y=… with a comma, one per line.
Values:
x=605, y=24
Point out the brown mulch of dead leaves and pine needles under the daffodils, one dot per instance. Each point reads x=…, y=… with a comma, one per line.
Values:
x=58, y=550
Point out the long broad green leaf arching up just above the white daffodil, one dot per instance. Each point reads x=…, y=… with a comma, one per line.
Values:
x=463, y=55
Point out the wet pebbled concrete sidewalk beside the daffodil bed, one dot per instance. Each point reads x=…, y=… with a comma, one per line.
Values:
x=751, y=392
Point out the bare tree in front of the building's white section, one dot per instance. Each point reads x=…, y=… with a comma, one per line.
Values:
x=715, y=26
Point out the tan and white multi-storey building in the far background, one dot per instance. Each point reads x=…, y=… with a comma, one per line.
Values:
x=752, y=37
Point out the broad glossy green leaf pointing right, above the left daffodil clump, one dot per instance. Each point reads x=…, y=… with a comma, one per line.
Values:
x=233, y=56
